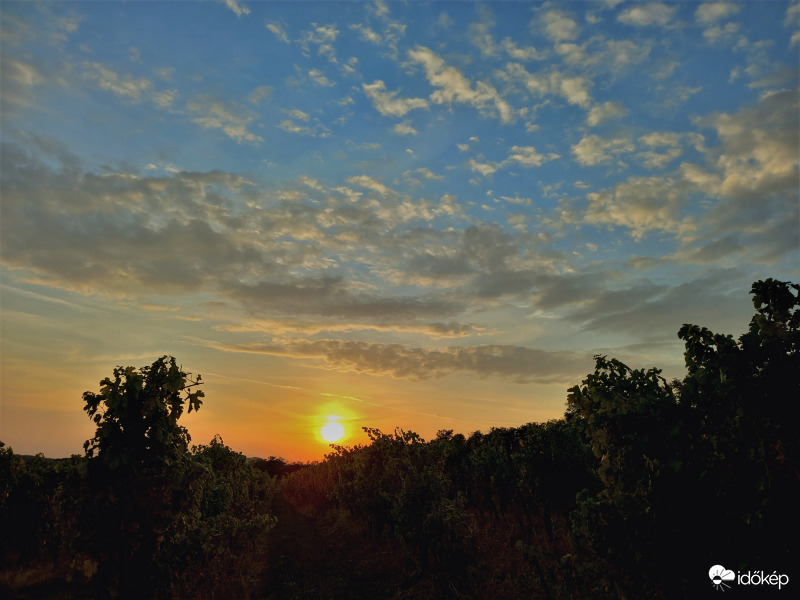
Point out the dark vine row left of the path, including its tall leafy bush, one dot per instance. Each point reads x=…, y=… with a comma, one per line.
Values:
x=140, y=515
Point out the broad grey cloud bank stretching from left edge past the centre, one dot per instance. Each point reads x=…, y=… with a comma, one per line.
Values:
x=118, y=234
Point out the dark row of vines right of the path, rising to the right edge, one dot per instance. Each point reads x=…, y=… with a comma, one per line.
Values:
x=593, y=503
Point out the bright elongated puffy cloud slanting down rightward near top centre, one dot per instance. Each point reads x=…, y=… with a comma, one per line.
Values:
x=455, y=87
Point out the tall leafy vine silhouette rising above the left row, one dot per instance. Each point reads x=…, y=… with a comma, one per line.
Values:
x=140, y=470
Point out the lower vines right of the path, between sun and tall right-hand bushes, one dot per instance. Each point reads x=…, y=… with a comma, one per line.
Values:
x=448, y=499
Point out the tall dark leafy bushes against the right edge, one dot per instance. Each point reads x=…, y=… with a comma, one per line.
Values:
x=724, y=434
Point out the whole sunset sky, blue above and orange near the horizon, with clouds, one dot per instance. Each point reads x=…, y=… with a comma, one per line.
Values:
x=426, y=215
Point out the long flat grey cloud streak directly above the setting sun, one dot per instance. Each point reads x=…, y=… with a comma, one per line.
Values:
x=515, y=363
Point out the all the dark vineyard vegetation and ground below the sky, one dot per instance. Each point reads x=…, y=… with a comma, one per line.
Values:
x=635, y=493
